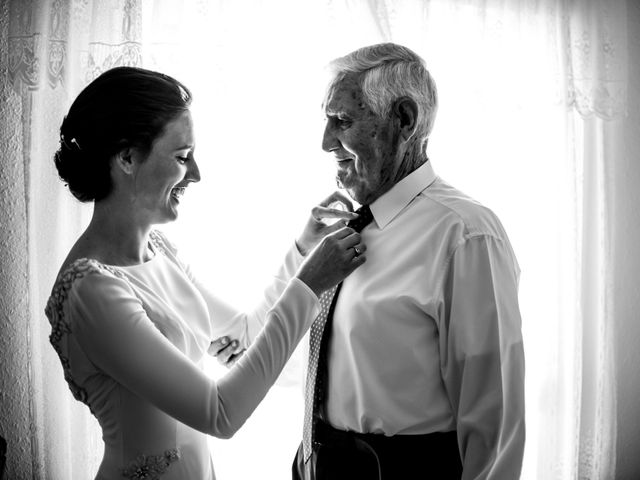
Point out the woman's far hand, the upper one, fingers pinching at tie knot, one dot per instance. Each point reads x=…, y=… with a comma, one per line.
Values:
x=316, y=228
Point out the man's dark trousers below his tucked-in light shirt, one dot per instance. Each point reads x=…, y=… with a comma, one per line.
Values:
x=340, y=455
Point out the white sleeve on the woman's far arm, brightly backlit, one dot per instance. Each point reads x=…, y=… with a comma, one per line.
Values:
x=240, y=325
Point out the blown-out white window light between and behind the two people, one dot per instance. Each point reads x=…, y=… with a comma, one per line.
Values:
x=258, y=81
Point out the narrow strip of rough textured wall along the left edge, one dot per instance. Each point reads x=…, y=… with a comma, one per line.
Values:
x=14, y=307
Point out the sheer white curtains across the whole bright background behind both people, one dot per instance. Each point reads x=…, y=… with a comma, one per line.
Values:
x=532, y=94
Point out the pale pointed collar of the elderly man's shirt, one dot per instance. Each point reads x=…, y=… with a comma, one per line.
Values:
x=385, y=208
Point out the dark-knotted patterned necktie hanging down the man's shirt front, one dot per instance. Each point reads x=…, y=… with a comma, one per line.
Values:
x=318, y=340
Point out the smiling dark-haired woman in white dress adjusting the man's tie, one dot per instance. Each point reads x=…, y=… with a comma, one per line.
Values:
x=129, y=321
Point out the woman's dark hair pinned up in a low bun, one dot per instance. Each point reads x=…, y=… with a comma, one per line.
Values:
x=125, y=106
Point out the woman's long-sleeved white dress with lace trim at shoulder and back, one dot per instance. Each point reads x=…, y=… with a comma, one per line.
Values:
x=132, y=341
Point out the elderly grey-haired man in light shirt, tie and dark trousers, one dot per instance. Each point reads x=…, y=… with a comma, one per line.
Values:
x=416, y=365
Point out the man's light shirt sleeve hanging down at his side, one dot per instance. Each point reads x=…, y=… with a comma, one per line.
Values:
x=482, y=357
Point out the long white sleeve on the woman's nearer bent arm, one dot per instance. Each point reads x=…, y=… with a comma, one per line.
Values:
x=111, y=326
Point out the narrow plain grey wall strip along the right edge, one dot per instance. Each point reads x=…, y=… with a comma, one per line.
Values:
x=626, y=268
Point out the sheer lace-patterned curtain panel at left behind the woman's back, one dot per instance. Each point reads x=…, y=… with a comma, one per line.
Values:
x=54, y=48
